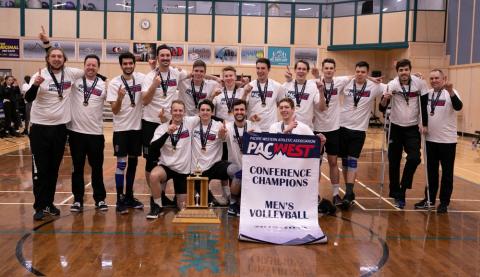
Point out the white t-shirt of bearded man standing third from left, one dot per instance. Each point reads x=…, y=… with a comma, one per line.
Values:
x=128, y=118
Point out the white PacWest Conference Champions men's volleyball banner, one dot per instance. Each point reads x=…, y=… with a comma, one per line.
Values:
x=279, y=189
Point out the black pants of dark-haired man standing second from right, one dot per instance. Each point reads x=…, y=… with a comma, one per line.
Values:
x=408, y=139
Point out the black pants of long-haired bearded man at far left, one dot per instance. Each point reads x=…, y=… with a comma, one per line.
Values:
x=47, y=143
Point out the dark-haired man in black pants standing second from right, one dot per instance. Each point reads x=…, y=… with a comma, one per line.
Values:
x=404, y=130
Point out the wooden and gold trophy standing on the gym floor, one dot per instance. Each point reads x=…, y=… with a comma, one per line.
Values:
x=196, y=209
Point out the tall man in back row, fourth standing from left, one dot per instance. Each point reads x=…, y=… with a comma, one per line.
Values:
x=159, y=89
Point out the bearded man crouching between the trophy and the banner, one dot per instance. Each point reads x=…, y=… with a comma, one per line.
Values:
x=232, y=133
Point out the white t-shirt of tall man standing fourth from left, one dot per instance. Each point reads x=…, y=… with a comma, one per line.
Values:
x=151, y=111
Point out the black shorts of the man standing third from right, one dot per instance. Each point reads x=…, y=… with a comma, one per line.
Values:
x=351, y=142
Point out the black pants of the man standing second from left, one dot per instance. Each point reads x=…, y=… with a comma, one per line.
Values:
x=84, y=146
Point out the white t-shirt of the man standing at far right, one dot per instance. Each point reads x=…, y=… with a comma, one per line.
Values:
x=442, y=125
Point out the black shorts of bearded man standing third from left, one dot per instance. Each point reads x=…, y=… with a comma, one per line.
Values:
x=127, y=143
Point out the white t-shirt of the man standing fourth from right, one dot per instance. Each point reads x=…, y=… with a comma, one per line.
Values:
x=329, y=120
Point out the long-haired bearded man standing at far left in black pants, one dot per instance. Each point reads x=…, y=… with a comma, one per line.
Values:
x=50, y=91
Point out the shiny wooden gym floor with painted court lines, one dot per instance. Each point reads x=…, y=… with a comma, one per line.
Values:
x=373, y=238
